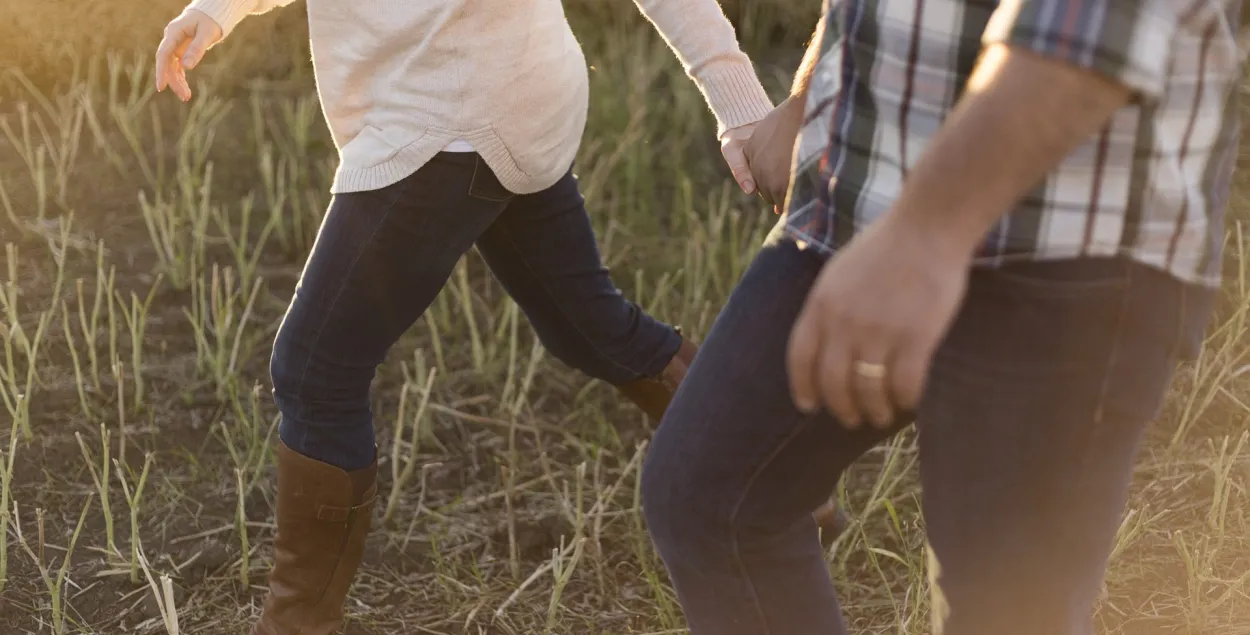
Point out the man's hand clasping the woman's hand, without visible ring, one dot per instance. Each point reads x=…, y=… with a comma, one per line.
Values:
x=771, y=151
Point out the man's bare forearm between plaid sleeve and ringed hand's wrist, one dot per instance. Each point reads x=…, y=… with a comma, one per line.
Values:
x=1021, y=117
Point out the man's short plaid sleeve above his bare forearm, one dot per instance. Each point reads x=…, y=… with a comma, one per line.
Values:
x=1127, y=41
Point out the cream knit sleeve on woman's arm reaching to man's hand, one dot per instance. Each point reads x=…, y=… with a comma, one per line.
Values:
x=707, y=46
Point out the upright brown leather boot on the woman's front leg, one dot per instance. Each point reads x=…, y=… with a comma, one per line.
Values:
x=323, y=522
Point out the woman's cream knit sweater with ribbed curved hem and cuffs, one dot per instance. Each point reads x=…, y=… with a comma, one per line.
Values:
x=402, y=79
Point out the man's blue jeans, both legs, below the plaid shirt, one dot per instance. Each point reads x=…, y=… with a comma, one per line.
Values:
x=1028, y=432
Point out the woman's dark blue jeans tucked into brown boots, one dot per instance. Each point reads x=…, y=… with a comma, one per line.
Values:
x=382, y=258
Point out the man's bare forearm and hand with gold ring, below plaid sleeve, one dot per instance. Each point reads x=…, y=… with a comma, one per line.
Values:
x=866, y=338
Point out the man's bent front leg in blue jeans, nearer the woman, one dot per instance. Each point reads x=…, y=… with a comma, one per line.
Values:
x=736, y=471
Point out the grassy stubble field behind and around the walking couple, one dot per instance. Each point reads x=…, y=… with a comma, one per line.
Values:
x=151, y=248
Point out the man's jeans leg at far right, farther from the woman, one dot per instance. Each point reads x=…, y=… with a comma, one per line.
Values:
x=1028, y=434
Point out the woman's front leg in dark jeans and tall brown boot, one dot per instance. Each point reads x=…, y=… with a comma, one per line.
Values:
x=379, y=261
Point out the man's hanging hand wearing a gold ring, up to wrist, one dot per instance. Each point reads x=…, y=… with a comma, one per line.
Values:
x=863, y=344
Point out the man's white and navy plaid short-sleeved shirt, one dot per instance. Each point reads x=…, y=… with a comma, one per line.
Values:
x=1152, y=186
